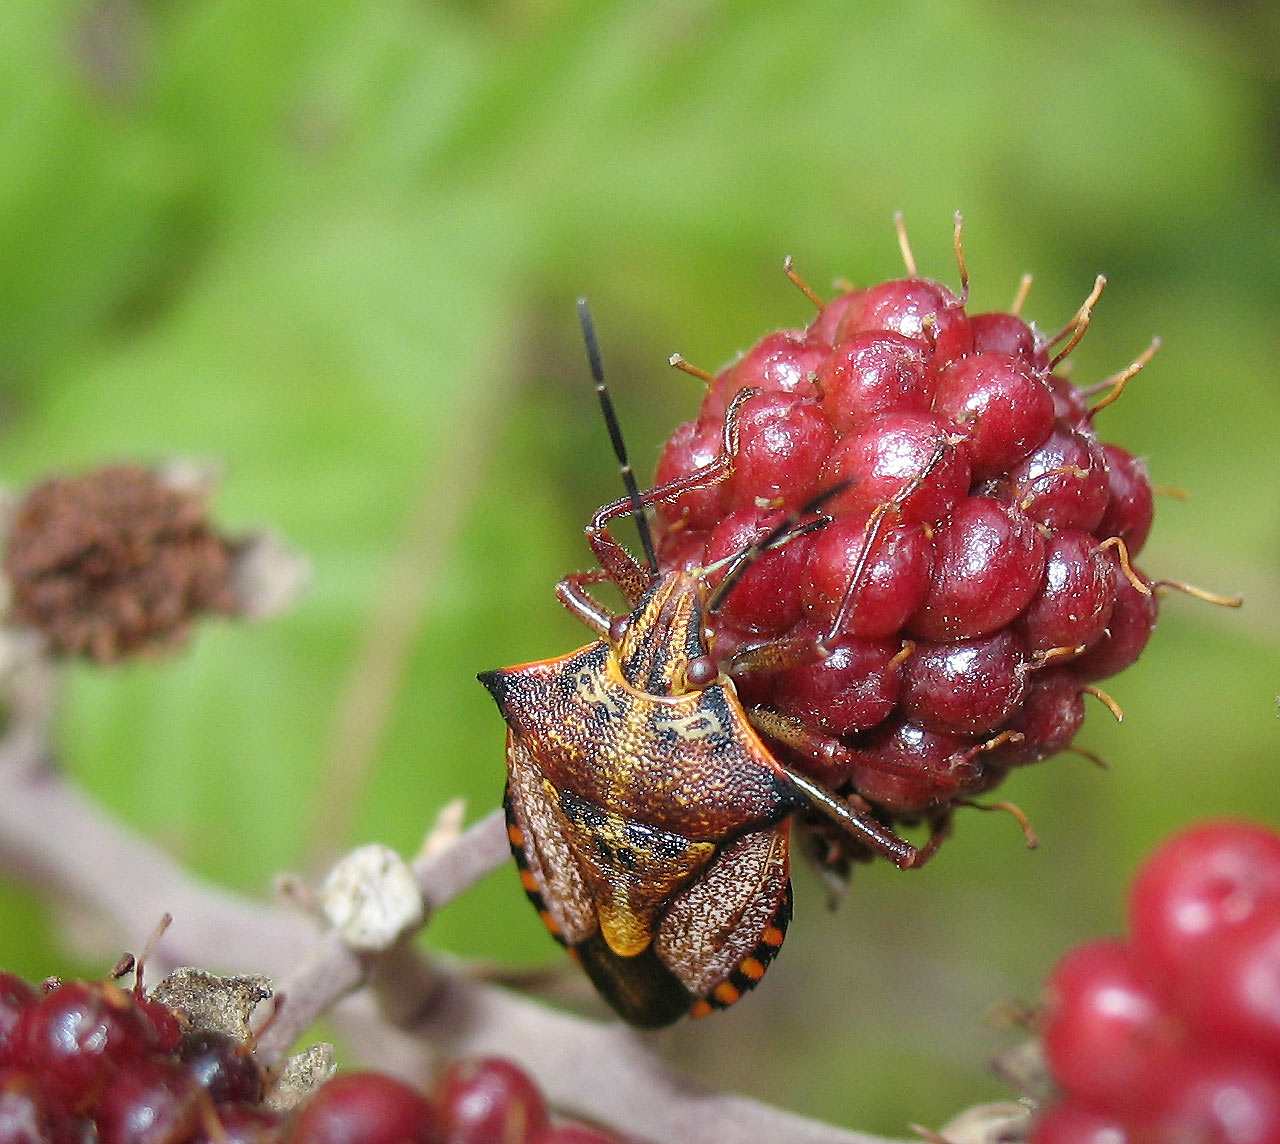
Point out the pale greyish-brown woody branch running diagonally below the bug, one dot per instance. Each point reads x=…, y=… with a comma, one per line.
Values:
x=413, y=1010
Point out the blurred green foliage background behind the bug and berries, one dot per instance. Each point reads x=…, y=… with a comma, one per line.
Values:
x=333, y=246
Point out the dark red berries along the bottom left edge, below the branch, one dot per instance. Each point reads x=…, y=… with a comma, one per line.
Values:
x=95, y=1064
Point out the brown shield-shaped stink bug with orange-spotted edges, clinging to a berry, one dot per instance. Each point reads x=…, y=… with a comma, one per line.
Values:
x=650, y=820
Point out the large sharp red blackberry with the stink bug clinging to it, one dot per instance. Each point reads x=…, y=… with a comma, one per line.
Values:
x=975, y=574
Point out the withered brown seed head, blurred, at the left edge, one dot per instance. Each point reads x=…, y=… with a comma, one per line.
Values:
x=115, y=562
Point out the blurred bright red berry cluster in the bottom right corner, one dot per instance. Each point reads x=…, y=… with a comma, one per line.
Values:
x=1174, y=1035
